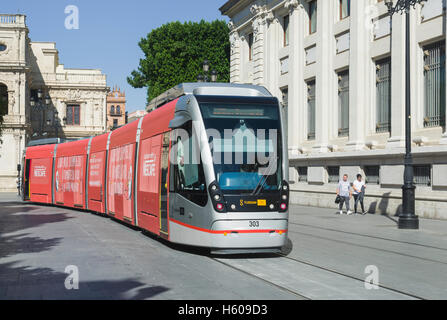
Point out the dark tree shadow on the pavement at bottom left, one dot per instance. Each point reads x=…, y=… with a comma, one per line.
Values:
x=22, y=282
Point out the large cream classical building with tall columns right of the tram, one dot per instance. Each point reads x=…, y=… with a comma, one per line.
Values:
x=339, y=70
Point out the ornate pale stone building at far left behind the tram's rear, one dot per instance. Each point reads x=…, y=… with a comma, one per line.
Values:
x=44, y=99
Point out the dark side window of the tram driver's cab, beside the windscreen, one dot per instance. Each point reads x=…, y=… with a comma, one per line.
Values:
x=189, y=176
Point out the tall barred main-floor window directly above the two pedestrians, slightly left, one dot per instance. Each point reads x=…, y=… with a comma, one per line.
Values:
x=343, y=104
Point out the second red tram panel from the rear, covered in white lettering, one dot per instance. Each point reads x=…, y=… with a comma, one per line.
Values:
x=70, y=174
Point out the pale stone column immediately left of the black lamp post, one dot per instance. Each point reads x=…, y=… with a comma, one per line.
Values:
x=397, y=138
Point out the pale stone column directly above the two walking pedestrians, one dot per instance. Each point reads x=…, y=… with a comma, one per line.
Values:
x=359, y=75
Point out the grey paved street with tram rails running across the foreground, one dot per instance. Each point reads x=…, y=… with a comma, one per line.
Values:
x=325, y=259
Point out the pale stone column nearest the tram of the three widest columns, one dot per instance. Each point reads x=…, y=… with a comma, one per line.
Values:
x=325, y=74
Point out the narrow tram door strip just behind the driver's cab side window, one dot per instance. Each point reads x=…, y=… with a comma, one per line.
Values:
x=164, y=184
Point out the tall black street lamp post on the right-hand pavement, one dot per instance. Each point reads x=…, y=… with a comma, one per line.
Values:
x=407, y=219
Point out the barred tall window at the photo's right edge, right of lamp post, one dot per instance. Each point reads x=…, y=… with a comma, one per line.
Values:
x=434, y=78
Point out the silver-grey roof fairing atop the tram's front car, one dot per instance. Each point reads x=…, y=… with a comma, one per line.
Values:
x=208, y=88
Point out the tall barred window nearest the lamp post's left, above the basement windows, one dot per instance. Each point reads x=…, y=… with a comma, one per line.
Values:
x=383, y=95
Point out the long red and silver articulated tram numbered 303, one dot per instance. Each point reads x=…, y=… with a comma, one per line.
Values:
x=129, y=174
